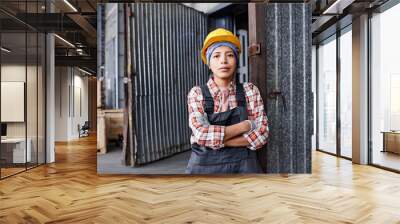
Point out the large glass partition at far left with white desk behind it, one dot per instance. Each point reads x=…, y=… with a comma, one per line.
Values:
x=22, y=77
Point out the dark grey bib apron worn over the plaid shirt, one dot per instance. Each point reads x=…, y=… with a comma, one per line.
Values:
x=205, y=160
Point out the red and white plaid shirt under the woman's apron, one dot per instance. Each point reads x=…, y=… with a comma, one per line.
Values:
x=205, y=134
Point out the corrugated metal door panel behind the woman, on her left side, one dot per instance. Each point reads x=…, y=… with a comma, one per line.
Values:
x=166, y=64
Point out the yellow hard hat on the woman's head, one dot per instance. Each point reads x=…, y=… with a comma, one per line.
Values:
x=219, y=35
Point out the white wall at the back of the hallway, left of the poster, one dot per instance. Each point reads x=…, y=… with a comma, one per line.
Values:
x=71, y=93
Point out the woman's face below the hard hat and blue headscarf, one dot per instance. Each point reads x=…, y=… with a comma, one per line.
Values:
x=223, y=62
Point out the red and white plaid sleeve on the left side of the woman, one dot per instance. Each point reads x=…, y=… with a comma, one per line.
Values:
x=203, y=133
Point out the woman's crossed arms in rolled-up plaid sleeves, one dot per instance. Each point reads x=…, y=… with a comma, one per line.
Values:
x=237, y=135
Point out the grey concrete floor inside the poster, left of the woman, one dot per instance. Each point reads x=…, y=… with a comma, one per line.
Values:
x=110, y=163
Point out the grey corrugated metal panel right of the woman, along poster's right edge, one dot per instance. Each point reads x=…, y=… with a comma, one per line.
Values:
x=288, y=46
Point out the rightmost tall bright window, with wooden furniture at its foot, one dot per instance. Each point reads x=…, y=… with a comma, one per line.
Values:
x=385, y=88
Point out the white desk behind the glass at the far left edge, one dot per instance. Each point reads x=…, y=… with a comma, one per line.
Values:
x=13, y=150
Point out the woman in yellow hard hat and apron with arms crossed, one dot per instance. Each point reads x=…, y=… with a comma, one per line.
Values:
x=227, y=118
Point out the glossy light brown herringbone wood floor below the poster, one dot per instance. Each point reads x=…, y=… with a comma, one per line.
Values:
x=70, y=191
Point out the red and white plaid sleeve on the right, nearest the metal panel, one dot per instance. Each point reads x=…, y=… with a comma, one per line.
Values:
x=259, y=136
